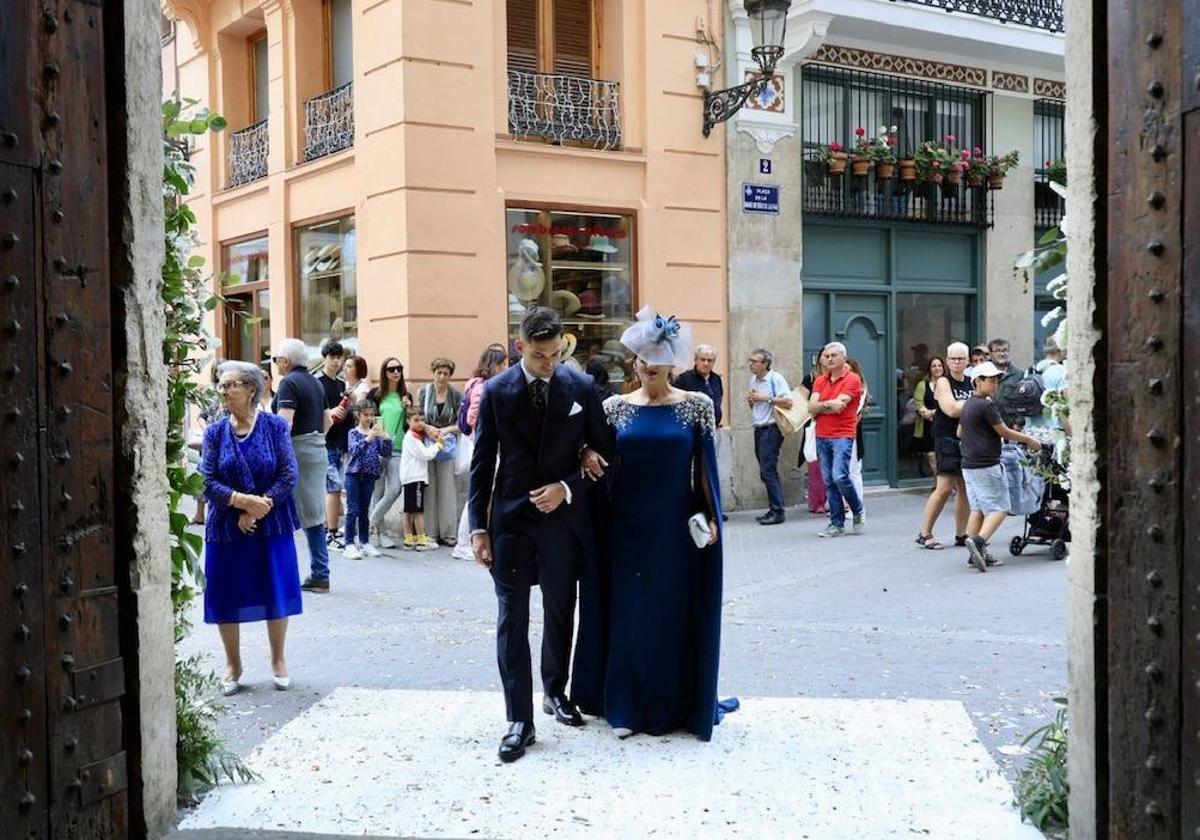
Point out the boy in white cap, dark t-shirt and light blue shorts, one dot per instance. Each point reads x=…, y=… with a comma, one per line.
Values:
x=981, y=428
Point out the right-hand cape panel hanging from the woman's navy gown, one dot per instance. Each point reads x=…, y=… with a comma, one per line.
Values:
x=706, y=487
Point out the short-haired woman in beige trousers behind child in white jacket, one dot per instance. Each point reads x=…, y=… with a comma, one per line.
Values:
x=441, y=401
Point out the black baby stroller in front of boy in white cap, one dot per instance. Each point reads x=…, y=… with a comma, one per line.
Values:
x=1048, y=521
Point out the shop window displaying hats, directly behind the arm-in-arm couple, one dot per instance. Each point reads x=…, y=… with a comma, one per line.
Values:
x=583, y=266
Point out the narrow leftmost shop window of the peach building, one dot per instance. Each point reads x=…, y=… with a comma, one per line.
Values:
x=247, y=310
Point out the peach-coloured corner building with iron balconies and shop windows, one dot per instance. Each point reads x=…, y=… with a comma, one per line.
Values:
x=409, y=176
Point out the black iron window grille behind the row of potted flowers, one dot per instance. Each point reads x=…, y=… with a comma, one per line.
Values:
x=836, y=103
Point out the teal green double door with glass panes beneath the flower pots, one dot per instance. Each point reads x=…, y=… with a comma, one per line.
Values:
x=896, y=298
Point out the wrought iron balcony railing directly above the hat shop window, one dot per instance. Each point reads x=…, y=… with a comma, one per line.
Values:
x=565, y=109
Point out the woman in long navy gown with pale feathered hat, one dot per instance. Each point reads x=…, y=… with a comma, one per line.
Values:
x=650, y=615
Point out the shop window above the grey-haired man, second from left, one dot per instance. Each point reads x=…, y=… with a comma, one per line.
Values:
x=328, y=291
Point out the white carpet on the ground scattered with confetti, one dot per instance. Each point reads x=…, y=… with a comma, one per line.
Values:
x=423, y=764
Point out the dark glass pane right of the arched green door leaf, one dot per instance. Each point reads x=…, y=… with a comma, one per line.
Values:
x=928, y=323
